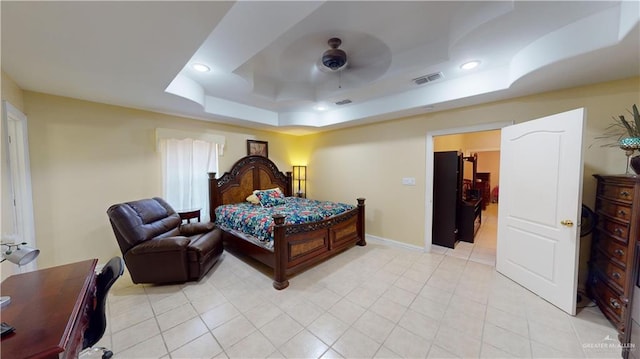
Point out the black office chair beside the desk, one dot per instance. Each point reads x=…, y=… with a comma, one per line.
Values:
x=98, y=318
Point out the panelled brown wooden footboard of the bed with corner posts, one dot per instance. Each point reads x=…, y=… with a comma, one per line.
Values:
x=300, y=246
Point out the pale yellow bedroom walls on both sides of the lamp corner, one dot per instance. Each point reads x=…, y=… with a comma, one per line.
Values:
x=86, y=156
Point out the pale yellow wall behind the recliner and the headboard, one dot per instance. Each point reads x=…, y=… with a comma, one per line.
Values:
x=87, y=156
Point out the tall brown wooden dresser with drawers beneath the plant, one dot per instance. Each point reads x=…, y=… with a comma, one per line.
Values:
x=612, y=269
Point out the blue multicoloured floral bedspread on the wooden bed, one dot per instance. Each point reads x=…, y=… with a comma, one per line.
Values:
x=257, y=221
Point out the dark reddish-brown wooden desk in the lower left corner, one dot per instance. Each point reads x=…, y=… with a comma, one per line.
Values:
x=49, y=309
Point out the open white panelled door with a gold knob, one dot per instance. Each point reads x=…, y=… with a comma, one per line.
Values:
x=541, y=192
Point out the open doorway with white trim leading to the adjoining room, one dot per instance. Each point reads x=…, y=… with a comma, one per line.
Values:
x=484, y=142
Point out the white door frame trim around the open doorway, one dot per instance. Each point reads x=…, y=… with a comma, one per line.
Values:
x=428, y=223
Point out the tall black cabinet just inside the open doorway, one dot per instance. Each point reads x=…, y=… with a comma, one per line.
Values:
x=447, y=184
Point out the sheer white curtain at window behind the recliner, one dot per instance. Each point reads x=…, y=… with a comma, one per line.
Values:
x=186, y=163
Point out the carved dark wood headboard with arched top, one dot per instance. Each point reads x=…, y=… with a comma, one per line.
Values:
x=246, y=175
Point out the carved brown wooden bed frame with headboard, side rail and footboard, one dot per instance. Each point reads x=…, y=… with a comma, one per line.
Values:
x=295, y=247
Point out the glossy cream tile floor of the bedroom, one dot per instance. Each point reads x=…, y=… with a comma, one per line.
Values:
x=376, y=301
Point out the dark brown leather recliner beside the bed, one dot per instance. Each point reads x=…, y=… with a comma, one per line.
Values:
x=158, y=248
